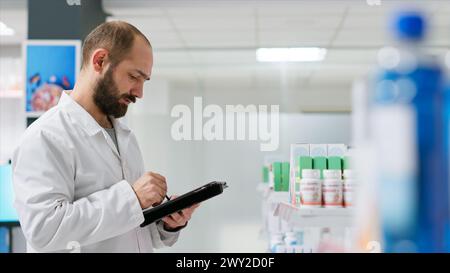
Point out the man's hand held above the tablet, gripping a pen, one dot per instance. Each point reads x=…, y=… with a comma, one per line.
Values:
x=151, y=189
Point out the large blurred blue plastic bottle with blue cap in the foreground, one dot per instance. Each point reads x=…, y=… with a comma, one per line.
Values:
x=408, y=106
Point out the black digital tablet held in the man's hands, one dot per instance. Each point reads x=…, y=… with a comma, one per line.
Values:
x=186, y=200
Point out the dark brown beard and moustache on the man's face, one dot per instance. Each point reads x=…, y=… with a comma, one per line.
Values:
x=106, y=96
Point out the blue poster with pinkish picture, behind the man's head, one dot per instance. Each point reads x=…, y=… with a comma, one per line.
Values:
x=50, y=68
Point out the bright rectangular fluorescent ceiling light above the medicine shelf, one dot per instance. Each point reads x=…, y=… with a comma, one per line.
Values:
x=295, y=54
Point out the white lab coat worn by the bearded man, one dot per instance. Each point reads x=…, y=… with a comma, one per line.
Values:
x=72, y=187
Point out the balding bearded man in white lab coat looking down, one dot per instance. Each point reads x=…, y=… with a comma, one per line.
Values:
x=78, y=173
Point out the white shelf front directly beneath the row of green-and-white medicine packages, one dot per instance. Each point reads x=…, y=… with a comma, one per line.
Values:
x=314, y=217
